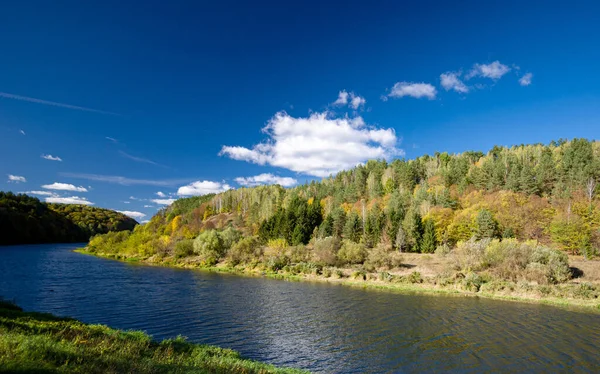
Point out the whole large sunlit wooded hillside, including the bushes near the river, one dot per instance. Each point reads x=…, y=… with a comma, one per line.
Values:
x=511, y=215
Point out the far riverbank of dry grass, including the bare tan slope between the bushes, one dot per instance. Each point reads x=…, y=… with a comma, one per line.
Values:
x=420, y=273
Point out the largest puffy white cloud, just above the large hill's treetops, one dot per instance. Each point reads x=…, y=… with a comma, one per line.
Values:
x=317, y=145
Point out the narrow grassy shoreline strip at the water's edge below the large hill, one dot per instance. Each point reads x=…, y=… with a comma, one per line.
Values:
x=369, y=282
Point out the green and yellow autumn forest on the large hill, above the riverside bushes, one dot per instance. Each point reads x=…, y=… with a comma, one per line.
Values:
x=546, y=193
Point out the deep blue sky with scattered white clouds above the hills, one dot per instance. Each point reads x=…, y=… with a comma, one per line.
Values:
x=189, y=98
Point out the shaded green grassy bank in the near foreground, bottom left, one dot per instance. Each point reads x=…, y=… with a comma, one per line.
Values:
x=42, y=343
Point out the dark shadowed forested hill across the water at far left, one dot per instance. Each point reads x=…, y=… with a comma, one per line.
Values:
x=27, y=220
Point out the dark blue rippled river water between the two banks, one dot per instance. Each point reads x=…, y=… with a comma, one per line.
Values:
x=319, y=327
